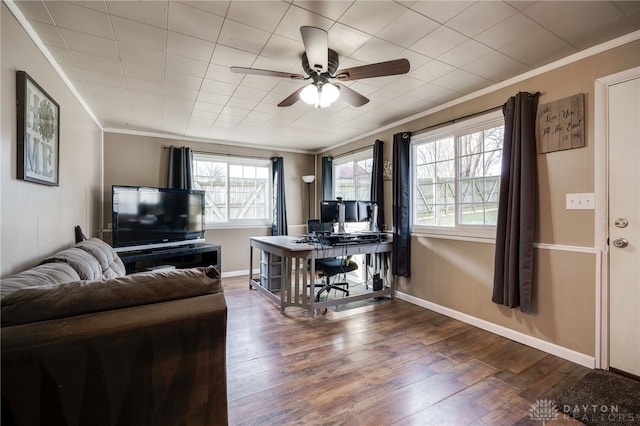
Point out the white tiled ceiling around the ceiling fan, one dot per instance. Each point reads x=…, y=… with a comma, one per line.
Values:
x=163, y=66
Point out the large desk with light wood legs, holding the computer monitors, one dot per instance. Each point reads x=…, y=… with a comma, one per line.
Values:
x=297, y=280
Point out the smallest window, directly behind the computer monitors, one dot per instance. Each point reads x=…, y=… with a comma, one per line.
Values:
x=352, y=176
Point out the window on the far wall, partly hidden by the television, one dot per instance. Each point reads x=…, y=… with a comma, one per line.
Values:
x=237, y=190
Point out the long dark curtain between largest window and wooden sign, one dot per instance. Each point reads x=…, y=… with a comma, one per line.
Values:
x=513, y=276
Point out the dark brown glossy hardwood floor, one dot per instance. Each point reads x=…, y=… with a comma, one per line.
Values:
x=390, y=363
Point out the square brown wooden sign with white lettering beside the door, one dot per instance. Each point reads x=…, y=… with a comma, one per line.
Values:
x=561, y=124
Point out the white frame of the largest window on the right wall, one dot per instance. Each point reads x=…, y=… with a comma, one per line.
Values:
x=458, y=231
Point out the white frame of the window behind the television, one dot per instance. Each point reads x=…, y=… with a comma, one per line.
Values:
x=231, y=160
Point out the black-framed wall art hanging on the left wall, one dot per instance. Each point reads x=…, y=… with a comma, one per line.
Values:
x=38, y=132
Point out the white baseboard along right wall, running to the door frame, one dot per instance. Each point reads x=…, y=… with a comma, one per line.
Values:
x=551, y=348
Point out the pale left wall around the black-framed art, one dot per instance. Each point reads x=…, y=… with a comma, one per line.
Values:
x=37, y=220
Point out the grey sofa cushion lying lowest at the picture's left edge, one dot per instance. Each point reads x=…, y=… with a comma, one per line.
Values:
x=41, y=275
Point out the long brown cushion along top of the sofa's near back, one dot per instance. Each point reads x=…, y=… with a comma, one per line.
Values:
x=33, y=304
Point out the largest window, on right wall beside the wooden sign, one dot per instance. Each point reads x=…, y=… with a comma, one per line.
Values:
x=456, y=177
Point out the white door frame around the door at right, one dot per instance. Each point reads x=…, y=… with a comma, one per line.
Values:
x=601, y=187
